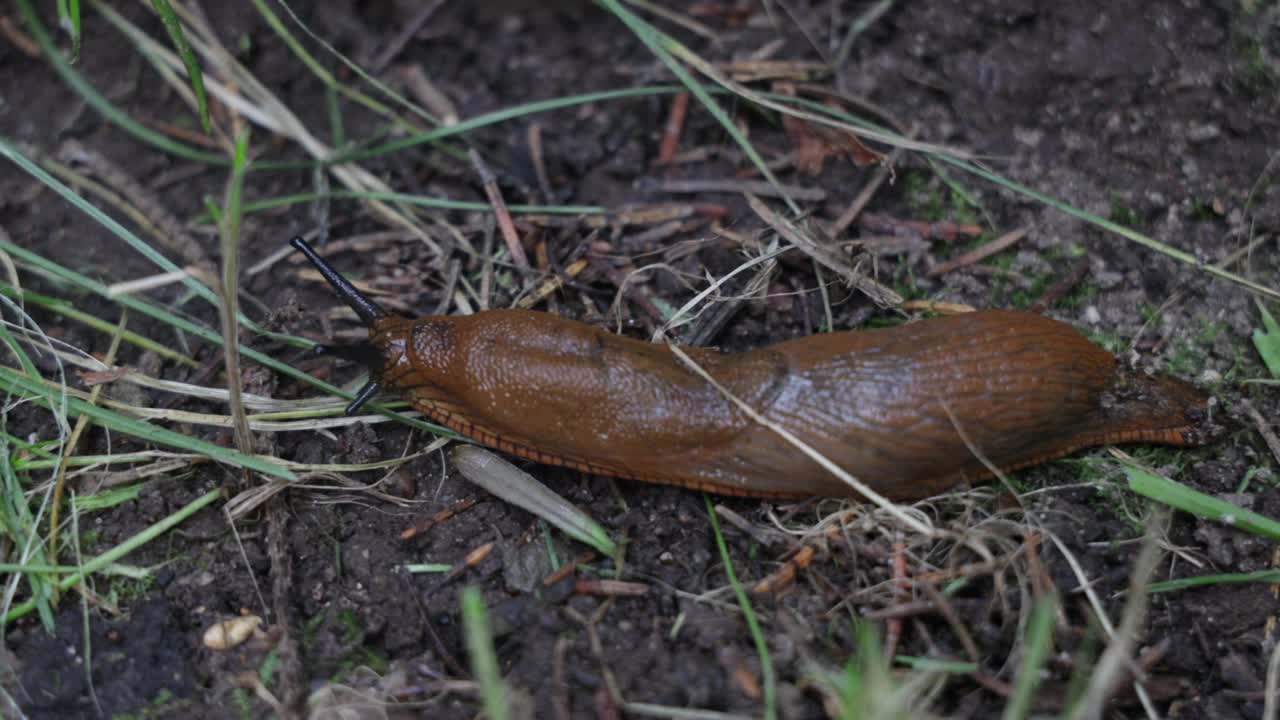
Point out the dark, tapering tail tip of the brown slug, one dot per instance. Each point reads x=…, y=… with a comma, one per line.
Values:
x=1159, y=409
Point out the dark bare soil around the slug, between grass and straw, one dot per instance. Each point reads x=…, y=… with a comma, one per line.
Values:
x=1159, y=116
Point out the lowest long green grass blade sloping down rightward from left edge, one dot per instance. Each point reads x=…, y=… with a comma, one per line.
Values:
x=12, y=381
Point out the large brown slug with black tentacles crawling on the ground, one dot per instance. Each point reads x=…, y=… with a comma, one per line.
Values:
x=883, y=404
